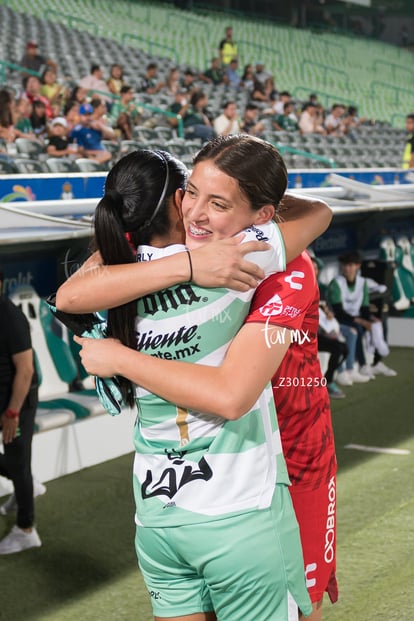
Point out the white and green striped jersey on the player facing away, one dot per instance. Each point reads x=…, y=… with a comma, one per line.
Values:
x=191, y=466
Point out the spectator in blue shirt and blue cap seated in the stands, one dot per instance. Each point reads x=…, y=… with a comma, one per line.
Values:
x=88, y=135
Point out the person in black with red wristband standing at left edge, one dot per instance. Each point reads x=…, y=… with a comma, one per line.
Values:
x=18, y=403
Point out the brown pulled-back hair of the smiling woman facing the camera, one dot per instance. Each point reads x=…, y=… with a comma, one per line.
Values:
x=255, y=164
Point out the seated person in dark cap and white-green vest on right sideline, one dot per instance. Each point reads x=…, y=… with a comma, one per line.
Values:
x=348, y=296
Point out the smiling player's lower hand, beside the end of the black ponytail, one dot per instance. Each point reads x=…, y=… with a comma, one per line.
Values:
x=99, y=356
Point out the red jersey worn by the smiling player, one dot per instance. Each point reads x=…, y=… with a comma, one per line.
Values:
x=290, y=301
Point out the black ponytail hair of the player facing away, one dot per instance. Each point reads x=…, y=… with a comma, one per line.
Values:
x=132, y=211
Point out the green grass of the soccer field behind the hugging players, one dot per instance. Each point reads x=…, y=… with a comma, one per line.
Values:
x=86, y=568
